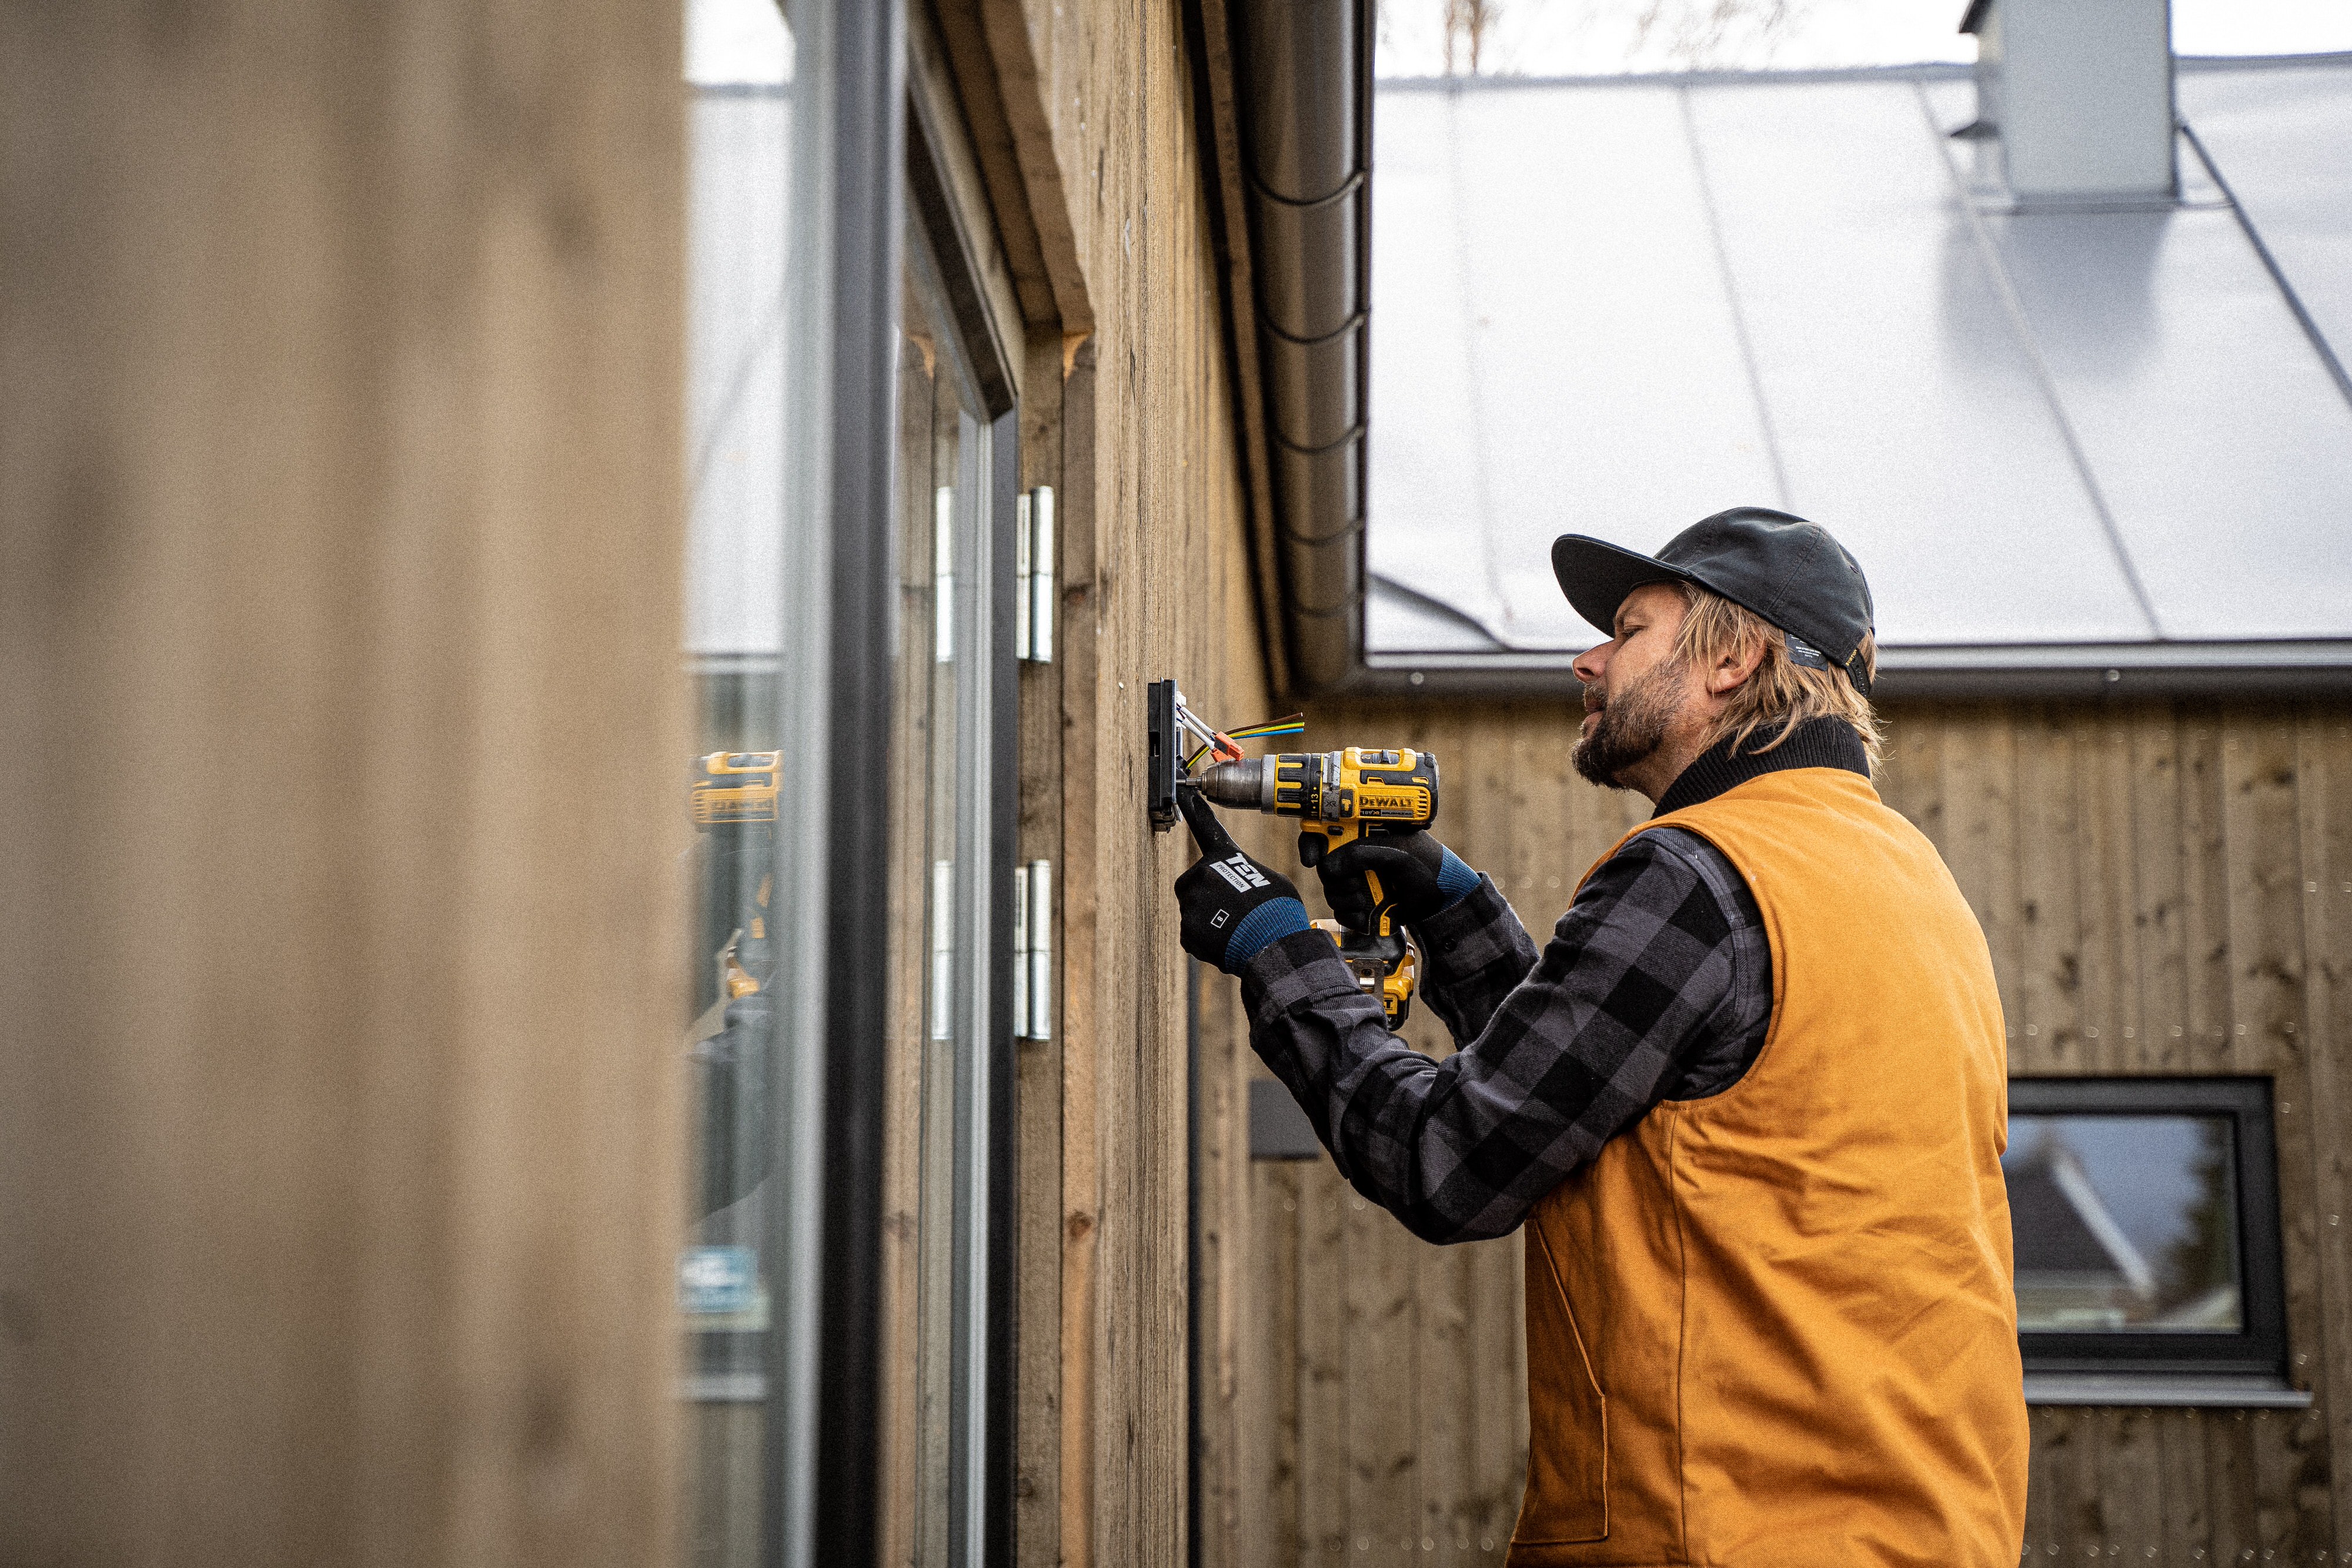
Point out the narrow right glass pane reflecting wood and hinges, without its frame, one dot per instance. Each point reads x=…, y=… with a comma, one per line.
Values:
x=944, y=796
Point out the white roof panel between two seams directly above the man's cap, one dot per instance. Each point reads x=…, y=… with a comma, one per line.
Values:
x=1909, y=415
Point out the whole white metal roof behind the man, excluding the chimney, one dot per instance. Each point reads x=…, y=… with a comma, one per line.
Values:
x=2054, y=438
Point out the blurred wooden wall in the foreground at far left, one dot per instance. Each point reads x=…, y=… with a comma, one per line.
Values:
x=340, y=904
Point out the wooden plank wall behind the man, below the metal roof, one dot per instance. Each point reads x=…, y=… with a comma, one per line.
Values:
x=2167, y=890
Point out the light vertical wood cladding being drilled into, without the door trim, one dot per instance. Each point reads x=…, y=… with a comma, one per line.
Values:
x=1156, y=587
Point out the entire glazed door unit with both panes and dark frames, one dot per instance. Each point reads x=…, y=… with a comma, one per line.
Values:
x=846, y=1280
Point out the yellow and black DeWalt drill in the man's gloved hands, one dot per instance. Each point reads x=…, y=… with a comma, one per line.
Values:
x=1339, y=798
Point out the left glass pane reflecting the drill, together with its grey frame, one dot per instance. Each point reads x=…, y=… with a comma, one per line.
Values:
x=787, y=410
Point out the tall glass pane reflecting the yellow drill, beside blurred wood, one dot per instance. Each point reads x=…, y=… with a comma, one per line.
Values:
x=740, y=72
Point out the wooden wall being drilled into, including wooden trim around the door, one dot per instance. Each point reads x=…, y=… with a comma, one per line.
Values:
x=1090, y=154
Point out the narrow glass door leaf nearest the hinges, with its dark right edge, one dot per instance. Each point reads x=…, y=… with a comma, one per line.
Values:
x=951, y=1266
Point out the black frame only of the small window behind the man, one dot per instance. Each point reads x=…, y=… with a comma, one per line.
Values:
x=2259, y=1351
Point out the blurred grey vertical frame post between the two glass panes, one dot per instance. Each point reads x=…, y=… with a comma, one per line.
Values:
x=824, y=1369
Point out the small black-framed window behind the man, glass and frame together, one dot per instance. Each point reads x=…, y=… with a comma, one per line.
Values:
x=2146, y=1221
